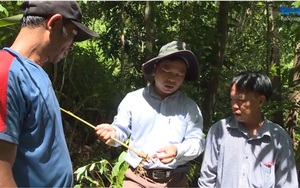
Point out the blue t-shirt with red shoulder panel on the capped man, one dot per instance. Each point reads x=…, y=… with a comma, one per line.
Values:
x=30, y=117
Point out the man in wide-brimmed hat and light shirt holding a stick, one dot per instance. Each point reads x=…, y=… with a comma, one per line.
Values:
x=161, y=121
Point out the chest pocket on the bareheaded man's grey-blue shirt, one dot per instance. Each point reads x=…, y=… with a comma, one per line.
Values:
x=267, y=175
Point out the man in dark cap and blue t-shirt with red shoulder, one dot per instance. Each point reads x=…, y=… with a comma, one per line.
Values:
x=33, y=150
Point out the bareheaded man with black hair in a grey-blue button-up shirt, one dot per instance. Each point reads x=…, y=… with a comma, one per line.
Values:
x=246, y=149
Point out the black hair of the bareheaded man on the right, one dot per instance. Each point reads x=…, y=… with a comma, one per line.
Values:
x=249, y=81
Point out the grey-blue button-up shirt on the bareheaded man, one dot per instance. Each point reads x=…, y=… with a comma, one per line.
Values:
x=234, y=159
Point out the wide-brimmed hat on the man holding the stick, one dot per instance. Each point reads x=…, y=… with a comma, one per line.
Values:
x=175, y=48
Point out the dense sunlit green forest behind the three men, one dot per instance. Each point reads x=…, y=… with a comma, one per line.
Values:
x=227, y=37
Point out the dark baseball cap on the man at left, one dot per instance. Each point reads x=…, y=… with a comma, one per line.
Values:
x=68, y=9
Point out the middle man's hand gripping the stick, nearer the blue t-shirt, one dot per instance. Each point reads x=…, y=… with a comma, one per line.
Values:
x=105, y=132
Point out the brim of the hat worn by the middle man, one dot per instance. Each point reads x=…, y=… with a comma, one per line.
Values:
x=192, y=73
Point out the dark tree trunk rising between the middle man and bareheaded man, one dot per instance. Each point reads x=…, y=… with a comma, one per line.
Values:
x=217, y=62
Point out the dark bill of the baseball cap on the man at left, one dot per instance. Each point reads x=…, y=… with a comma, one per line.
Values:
x=83, y=33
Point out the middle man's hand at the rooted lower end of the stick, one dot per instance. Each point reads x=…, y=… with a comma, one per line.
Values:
x=166, y=154
